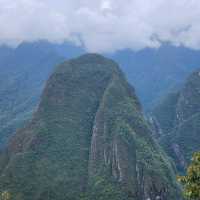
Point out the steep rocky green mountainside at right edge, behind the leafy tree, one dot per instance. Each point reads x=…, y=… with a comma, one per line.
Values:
x=178, y=116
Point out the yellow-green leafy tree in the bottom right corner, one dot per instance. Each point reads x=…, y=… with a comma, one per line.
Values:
x=191, y=182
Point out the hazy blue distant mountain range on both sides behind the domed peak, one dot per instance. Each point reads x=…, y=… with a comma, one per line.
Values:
x=24, y=71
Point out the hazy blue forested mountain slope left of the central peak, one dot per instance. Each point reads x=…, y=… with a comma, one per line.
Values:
x=24, y=71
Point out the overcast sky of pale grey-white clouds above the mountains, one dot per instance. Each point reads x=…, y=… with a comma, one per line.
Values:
x=102, y=25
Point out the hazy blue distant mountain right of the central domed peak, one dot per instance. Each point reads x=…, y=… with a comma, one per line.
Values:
x=155, y=72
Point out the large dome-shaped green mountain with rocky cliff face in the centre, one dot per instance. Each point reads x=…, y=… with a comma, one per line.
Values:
x=87, y=140
